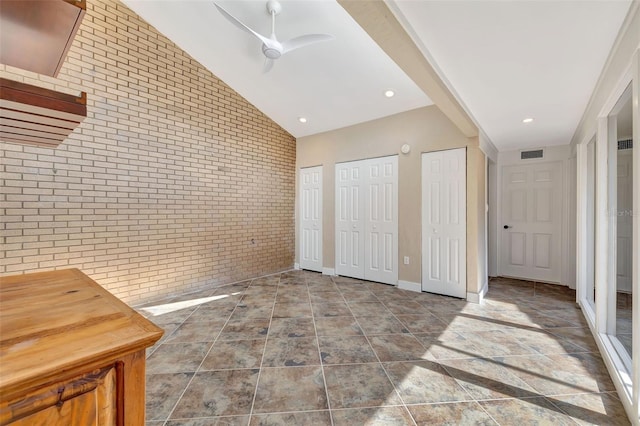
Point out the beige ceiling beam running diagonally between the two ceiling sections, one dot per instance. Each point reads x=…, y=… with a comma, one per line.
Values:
x=382, y=26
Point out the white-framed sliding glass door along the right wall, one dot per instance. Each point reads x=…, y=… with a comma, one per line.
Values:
x=608, y=244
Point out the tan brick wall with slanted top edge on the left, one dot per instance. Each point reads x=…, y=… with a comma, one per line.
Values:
x=173, y=182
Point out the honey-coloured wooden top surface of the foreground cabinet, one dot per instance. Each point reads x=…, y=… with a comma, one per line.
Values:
x=55, y=322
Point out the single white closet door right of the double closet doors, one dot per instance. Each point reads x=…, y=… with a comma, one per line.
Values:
x=444, y=221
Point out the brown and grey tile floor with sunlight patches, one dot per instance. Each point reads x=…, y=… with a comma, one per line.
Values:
x=300, y=348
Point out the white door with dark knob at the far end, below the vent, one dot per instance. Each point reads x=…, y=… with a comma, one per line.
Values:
x=532, y=214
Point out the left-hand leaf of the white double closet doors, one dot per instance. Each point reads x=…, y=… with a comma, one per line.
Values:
x=349, y=220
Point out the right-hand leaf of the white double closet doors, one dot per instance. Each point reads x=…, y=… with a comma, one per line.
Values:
x=381, y=241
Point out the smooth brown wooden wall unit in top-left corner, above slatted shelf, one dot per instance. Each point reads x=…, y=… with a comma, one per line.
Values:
x=35, y=35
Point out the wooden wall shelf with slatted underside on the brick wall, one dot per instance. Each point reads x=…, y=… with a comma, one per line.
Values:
x=36, y=116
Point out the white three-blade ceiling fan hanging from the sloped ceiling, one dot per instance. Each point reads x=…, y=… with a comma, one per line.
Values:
x=271, y=47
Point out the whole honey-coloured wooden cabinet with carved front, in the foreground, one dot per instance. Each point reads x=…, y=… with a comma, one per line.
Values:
x=70, y=352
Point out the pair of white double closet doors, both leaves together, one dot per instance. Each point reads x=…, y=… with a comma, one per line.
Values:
x=367, y=219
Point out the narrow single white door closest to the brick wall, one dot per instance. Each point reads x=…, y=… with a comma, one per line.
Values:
x=311, y=218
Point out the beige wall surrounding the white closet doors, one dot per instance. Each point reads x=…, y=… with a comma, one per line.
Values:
x=424, y=129
